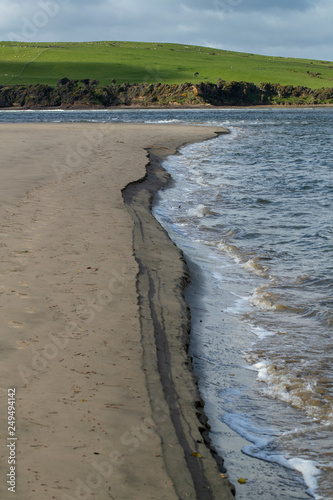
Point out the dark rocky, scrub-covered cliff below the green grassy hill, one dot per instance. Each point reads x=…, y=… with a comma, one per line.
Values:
x=88, y=93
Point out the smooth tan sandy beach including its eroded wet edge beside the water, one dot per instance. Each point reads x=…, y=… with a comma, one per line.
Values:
x=94, y=323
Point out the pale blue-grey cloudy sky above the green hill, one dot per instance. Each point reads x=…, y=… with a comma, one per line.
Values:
x=288, y=28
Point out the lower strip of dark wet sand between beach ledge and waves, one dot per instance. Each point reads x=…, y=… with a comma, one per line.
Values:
x=165, y=331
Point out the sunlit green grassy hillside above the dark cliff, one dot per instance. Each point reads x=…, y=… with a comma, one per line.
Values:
x=22, y=63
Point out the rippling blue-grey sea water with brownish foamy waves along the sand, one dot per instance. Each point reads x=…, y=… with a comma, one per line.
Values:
x=252, y=213
